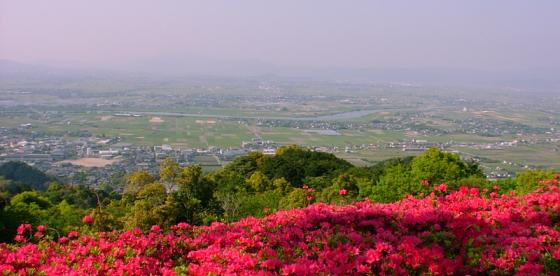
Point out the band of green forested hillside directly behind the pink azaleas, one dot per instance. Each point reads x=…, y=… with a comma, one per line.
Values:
x=253, y=185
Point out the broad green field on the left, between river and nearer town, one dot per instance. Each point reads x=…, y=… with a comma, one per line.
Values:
x=178, y=131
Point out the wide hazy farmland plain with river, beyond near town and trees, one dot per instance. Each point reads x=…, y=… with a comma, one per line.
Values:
x=359, y=122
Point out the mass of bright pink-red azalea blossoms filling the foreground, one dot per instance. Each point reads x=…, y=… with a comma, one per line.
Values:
x=461, y=232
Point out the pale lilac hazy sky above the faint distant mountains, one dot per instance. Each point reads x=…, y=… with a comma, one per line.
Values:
x=477, y=34
